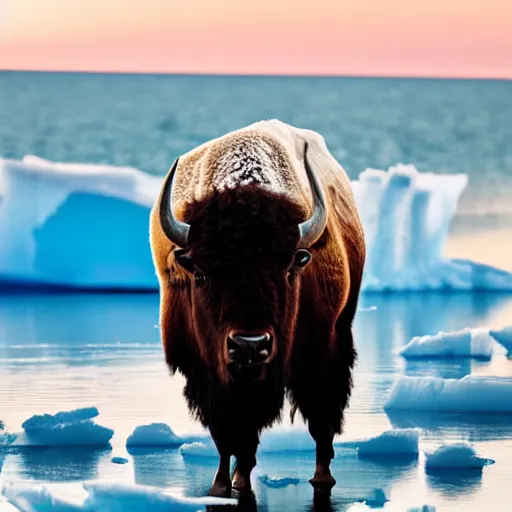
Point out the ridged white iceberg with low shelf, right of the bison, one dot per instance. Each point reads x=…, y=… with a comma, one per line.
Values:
x=406, y=216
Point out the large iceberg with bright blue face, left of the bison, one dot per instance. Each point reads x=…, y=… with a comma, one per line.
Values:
x=64, y=214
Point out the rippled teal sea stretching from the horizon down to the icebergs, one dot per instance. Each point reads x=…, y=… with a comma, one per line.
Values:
x=446, y=126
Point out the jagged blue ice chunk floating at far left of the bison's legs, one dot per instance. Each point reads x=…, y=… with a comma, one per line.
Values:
x=68, y=428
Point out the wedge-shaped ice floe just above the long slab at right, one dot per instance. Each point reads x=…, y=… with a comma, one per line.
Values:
x=475, y=343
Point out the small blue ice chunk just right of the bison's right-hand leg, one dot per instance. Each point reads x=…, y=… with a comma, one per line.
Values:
x=392, y=442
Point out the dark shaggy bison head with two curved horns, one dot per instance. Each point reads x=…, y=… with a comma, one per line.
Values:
x=244, y=249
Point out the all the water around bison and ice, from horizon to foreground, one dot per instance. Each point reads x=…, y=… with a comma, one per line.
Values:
x=61, y=351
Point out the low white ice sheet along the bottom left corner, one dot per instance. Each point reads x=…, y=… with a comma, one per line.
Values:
x=101, y=497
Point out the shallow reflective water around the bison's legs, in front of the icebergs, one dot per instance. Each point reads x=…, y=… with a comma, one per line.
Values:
x=63, y=351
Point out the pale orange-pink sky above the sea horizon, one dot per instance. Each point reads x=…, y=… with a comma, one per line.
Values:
x=459, y=38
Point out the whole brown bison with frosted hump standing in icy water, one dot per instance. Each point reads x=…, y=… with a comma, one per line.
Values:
x=259, y=252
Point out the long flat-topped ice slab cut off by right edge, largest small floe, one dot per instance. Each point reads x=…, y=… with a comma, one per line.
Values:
x=470, y=394
